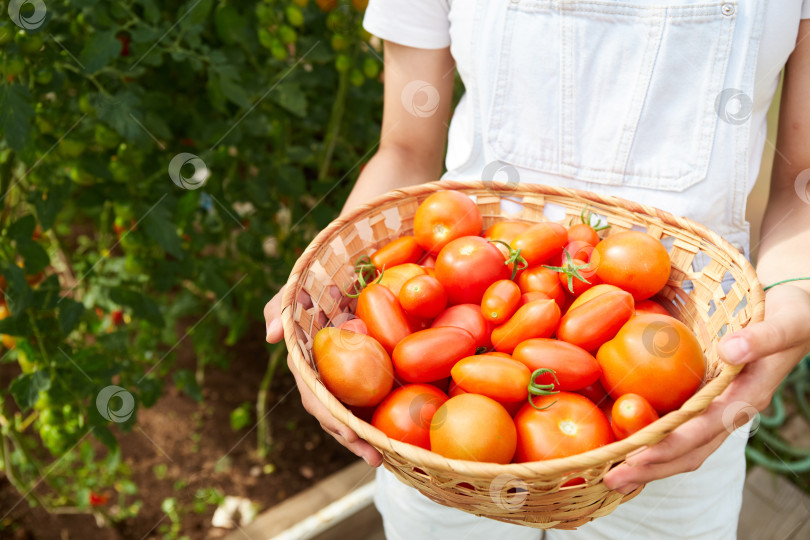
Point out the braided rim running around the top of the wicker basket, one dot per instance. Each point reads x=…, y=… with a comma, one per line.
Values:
x=601, y=456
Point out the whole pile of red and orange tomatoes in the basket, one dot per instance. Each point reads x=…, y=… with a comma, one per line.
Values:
x=524, y=343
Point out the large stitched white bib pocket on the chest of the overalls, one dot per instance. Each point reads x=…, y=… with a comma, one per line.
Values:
x=619, y=93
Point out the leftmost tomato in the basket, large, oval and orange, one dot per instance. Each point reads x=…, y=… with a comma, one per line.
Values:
x=354, y=367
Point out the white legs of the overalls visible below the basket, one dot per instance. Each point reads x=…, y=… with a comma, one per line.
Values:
x=702, y=505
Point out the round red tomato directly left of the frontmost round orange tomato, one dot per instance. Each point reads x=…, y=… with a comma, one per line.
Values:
x=405, y=414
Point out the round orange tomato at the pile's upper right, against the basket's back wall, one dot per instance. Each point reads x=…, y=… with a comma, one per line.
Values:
x=634, y=261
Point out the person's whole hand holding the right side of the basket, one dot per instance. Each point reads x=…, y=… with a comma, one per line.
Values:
x=769, y=350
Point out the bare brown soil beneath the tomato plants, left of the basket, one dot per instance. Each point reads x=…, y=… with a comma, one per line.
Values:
x=223, y=459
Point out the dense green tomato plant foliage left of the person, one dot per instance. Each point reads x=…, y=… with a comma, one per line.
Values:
x=108, y=260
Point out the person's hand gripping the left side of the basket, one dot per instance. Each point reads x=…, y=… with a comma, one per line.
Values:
x=341, y=432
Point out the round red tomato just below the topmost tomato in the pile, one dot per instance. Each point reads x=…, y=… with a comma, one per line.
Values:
x=467, y=266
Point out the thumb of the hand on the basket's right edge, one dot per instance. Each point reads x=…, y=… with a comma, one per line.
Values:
x=777, y=333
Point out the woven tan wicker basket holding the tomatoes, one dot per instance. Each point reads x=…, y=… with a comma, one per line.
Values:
x=528, y=494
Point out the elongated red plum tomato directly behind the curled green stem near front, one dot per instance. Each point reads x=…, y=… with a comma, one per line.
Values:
x=574, y=367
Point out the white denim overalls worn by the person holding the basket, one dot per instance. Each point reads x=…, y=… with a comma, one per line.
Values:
x=642, y=99
